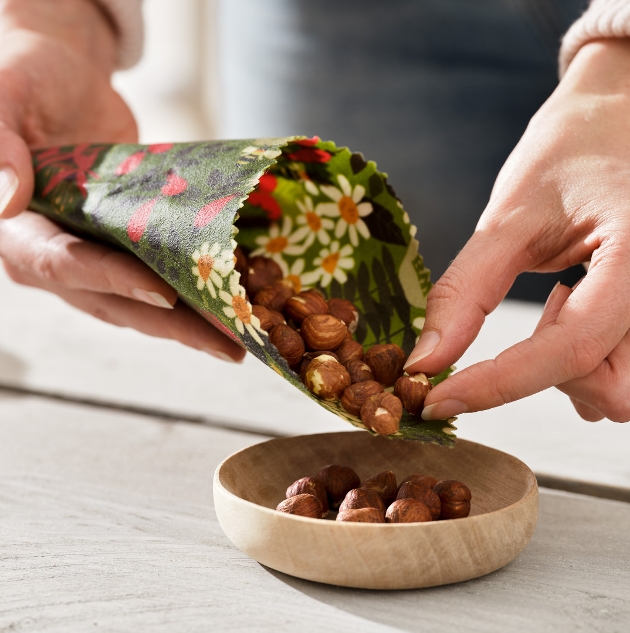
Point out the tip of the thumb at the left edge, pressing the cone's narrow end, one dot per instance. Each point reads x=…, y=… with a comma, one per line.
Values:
x=16, y=173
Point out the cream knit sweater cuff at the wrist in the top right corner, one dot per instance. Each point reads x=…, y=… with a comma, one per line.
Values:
x=602, y=19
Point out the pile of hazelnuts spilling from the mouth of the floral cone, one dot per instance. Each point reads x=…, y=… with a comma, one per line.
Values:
x=315, y=337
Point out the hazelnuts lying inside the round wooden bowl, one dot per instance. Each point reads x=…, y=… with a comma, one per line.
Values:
x=378, y=499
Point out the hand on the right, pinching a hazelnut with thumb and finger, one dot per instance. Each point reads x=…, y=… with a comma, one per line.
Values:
x=561, y=199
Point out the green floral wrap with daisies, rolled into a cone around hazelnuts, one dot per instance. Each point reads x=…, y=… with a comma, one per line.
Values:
x=324, y=214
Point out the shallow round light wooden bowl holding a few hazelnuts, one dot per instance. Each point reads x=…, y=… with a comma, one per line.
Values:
x=249, y=485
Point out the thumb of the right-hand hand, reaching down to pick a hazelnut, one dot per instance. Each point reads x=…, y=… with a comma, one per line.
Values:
x=471, y=288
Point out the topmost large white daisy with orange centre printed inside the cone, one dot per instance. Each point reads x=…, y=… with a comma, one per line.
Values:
x=346, y=206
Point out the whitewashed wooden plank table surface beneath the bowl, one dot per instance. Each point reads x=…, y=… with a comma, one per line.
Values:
x=106, y=516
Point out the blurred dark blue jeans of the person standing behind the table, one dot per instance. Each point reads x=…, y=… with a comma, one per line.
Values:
x=438, y=92
